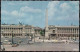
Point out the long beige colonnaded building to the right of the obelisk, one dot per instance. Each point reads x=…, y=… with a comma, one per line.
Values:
x=63, y=31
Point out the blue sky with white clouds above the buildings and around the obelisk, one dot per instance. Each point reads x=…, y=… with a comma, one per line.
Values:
x=63, y=13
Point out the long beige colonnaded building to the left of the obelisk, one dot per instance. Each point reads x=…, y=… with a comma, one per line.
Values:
x=16, y=30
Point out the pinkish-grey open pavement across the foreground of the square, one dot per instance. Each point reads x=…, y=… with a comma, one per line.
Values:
x=44, y=47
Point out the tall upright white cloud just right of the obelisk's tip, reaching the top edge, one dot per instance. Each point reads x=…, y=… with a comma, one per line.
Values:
x=52, y=8
